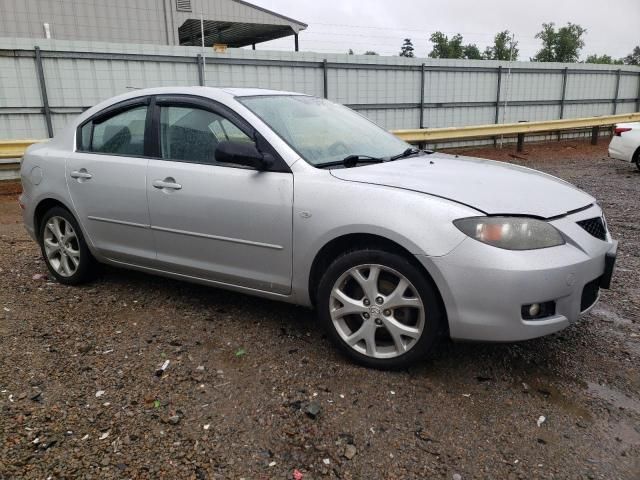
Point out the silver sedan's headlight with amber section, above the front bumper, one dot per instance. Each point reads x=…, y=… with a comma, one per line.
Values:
x=511, y=233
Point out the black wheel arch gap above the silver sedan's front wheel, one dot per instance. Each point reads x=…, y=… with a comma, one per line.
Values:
x=362, y=241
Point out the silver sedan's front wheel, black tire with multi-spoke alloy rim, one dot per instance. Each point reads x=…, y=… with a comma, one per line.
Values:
x=379, y=309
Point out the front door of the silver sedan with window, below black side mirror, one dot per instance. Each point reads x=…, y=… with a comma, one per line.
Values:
x=221, y=222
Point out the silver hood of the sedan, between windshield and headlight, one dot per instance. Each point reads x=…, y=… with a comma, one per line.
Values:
x=492, y=187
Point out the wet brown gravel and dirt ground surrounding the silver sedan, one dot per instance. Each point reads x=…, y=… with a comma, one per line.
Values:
x=80, y=398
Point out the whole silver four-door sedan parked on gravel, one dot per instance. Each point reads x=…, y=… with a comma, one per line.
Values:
x=296, y=198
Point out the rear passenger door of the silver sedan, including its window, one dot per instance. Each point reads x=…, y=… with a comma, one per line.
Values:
x=106, y=177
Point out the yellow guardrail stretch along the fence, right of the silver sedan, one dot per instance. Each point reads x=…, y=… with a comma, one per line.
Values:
x=430, y=135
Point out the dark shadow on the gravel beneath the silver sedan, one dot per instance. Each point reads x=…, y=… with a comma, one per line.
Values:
x=449, y=358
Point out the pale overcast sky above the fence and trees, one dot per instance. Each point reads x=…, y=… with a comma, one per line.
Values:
x=381, y=25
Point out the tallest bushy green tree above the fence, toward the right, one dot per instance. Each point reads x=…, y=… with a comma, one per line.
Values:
x=561, y=45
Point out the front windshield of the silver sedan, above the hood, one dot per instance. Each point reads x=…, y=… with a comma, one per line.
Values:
x=320, y=131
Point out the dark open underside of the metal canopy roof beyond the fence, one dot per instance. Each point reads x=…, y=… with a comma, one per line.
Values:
x=234, y=34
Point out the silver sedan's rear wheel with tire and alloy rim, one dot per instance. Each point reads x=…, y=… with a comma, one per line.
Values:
x=64, y=249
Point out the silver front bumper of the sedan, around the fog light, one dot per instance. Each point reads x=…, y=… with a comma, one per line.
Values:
x=484, y=288
